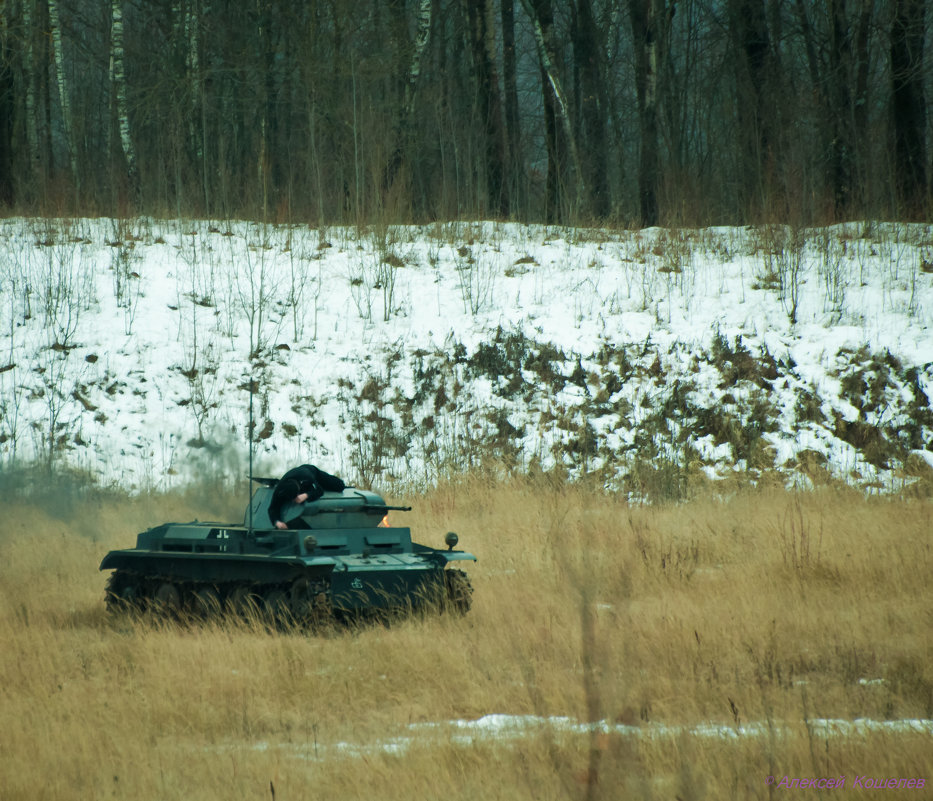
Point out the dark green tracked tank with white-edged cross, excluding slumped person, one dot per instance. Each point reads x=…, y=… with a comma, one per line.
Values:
x=339, y=559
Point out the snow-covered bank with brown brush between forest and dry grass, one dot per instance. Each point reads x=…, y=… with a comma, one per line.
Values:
x=128, y=348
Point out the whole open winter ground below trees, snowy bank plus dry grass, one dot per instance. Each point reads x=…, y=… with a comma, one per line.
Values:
x=695, y=466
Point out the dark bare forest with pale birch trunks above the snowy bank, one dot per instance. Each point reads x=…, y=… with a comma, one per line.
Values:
x=645, y=111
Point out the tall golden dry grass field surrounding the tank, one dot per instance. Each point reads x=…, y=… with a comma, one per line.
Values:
x=673, y=626
